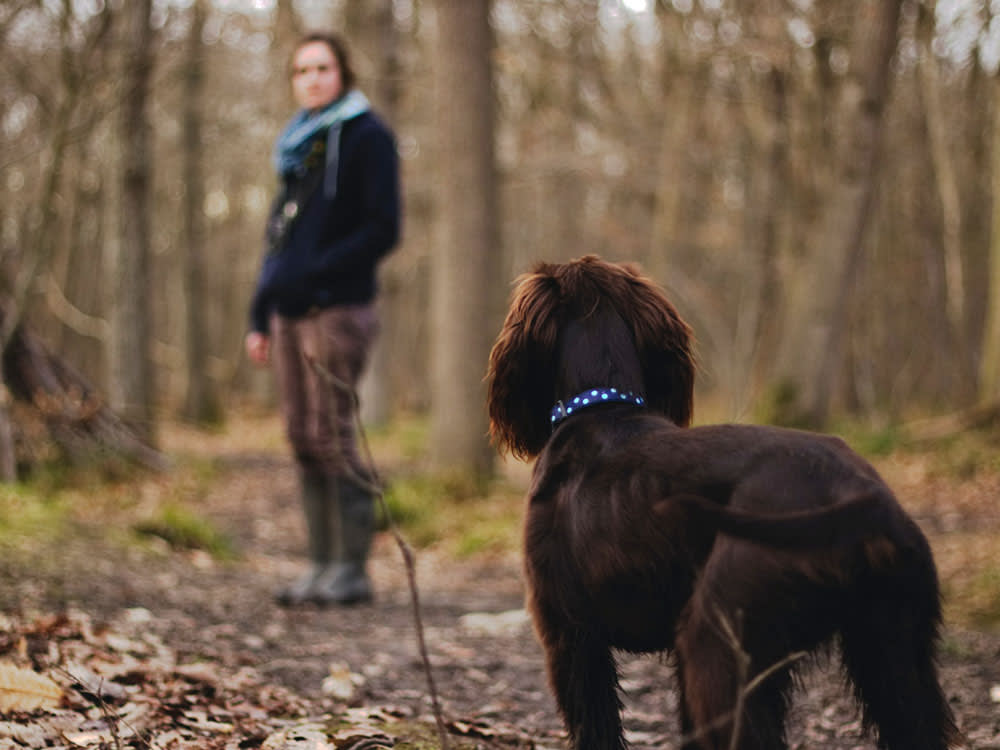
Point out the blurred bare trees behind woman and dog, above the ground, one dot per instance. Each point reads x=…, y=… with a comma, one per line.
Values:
x=813, y=181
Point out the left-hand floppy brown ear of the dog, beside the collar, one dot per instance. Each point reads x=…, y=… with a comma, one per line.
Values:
x=521, y=385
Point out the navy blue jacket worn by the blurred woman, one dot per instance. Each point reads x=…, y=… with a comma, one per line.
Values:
x=332, y=248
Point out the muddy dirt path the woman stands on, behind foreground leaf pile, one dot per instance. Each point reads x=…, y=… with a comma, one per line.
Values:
x=487, y=664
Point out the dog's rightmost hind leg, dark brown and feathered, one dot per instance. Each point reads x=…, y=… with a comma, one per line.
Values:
x=888, y=643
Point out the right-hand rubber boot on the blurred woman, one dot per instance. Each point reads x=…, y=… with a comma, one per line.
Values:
x=347, y=582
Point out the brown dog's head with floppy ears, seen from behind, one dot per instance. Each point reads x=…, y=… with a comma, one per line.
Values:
x=585, y=324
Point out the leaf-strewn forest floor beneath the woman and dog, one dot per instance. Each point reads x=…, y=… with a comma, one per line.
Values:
x=160, y=646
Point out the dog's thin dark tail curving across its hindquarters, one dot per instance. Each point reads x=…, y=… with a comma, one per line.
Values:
x=856, y=518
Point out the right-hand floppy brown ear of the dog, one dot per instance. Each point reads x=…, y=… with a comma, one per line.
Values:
x=663, y=341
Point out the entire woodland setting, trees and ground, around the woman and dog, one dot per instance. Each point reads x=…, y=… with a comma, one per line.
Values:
x=815, y=182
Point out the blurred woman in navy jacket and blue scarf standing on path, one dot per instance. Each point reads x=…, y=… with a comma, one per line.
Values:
x=336, y=215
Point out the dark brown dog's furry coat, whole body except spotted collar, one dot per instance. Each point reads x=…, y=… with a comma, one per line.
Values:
x=710, y=542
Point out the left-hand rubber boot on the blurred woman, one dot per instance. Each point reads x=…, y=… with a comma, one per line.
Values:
x=323, y=527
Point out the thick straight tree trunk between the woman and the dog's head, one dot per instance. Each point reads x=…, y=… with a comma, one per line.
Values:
x=463, y=275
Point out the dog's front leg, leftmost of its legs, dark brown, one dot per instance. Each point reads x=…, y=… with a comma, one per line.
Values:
x=585, y=681
